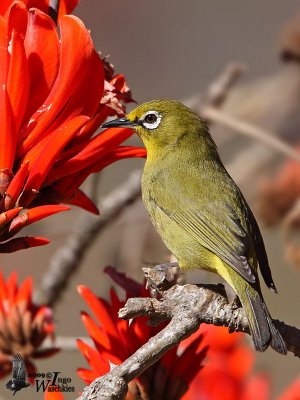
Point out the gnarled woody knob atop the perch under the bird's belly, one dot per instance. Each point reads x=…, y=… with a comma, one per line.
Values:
x=161, y=277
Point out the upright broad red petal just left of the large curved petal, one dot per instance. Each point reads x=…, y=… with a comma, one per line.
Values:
x=42, y=50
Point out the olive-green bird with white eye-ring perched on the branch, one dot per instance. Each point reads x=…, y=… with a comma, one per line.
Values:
x=199, y=211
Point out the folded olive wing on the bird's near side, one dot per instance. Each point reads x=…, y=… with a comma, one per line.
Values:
x=219, y=230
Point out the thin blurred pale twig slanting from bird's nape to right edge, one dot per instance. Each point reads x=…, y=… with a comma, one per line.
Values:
x=249, y=130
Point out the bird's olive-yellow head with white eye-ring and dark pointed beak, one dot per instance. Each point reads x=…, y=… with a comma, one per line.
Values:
x=160, y=123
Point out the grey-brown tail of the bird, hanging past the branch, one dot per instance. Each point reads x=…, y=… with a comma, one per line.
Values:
x=261, y=325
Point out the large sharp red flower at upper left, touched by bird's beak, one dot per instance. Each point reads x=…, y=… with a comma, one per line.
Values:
x=54, y=94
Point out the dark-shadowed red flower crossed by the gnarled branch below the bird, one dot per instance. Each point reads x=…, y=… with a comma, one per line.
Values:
x=115, y=340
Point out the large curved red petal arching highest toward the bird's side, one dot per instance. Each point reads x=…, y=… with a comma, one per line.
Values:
x=76, y=73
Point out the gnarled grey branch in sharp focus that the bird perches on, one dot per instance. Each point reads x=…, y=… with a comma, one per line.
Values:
x=186, y=307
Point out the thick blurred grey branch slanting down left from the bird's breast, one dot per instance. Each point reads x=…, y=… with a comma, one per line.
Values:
x=68, y=258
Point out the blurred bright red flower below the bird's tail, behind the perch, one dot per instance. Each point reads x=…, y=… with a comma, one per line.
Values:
x=226, y=373
